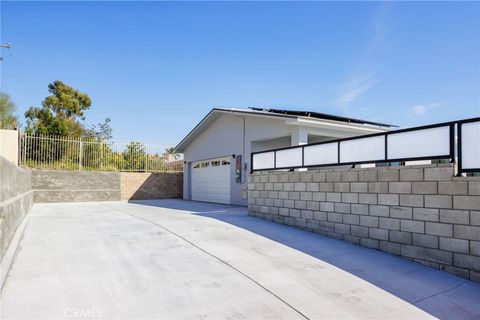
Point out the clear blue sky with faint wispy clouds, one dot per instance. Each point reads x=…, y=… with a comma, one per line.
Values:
x=156, y=68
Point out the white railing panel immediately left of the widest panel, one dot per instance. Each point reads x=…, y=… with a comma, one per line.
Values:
x=366, y=149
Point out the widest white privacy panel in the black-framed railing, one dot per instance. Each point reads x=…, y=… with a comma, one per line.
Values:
x=419, y=143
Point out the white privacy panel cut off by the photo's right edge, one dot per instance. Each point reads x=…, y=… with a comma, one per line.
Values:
x=471, y=145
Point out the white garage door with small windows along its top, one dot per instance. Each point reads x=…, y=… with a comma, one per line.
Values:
x=211, y=180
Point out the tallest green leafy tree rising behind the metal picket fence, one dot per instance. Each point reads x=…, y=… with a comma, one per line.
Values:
x=60, y=113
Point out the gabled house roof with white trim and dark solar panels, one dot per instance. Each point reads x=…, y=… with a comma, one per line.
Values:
x=265, y=112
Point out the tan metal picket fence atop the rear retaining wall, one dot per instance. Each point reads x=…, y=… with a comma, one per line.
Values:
x=72, y=153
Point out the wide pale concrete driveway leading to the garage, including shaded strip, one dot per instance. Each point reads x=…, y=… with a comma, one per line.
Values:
x=178, y=259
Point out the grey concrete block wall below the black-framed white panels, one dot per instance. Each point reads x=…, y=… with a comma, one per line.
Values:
x=422, y=213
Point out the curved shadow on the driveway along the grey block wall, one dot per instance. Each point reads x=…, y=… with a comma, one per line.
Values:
x=441, y=294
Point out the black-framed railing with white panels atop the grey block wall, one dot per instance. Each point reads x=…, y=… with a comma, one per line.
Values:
x=436, y=141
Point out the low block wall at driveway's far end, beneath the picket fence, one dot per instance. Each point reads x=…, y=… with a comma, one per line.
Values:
x=76, y=186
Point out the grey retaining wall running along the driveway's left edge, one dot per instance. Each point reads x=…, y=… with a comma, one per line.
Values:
x=16, y=199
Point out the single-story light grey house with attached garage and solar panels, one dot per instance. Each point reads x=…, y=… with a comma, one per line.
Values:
x=217, y=151
